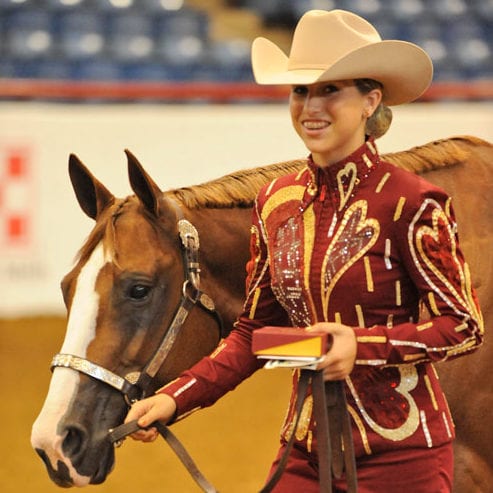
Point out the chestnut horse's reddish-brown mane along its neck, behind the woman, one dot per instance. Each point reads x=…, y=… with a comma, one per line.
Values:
x=240, y=188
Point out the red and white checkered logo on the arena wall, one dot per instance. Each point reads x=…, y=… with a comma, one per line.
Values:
x=15, y=198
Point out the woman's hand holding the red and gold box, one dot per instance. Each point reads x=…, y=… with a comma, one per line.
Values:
x=338, y=363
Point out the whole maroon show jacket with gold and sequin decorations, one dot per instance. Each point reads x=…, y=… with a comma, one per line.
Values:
x=363, y=243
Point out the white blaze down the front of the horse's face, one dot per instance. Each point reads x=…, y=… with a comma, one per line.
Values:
x=64, y=383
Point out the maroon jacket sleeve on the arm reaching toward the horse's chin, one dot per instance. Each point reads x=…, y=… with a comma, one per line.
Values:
x=232, y=361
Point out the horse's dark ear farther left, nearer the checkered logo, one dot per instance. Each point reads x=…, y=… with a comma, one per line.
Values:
x=92, y=195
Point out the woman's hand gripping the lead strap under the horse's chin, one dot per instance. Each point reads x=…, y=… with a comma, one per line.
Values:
x=159, y=407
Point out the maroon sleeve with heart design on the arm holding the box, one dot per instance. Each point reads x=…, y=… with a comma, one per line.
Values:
x=429, y=248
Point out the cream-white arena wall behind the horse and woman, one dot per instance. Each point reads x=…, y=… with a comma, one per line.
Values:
x=41, y=225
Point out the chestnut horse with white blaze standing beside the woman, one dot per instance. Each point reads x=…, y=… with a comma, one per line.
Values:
x=143, y=305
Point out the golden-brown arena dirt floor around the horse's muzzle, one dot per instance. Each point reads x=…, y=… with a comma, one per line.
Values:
x=233, y=443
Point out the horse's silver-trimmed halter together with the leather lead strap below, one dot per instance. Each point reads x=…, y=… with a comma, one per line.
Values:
x=135, y=385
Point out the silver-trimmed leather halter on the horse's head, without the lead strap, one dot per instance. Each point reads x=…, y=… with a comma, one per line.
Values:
x=134, y=385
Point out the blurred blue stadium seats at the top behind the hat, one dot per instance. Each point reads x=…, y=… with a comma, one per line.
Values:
x=168, y=40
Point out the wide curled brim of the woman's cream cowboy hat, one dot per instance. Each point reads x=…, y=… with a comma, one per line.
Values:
x=404, y=69
